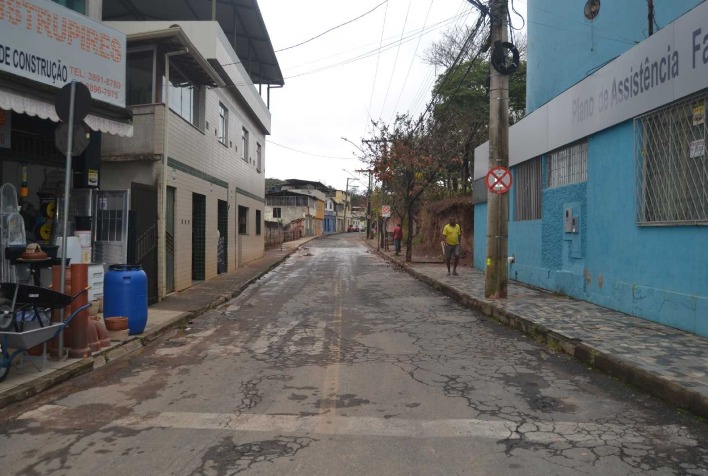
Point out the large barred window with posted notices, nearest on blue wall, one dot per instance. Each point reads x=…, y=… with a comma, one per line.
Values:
x=671, y=164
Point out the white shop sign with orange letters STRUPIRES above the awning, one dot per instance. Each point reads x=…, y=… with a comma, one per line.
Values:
x=49, y=43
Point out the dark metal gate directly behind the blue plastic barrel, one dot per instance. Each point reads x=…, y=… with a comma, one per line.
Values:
x=142, y=247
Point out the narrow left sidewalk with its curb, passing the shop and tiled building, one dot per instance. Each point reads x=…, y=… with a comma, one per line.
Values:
x=174, y=311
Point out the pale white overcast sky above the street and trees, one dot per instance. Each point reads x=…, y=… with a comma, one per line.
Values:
x=334, y=85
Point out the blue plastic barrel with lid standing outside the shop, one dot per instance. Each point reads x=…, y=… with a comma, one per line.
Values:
x=125, y=294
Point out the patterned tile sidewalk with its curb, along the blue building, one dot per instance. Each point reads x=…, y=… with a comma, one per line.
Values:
x=663, y=361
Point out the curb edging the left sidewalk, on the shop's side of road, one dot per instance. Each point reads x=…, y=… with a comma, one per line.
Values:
x=129, y=347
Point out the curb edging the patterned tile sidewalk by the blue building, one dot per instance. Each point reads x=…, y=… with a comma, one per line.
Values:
x=622, y=369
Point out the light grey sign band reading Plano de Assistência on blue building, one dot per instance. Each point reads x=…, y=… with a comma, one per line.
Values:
x=671, y=64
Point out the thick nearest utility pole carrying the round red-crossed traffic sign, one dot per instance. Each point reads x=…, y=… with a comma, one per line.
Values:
x=496, y=275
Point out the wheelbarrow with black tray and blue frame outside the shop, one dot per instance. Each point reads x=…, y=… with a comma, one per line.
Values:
x=25, y=319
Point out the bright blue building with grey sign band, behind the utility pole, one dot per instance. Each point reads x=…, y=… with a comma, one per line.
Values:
x=609, y=201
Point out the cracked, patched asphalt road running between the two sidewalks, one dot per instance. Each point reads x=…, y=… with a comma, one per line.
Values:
x=337, y=363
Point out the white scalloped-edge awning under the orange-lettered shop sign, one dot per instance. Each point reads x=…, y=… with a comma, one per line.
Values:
x=39, y=102
